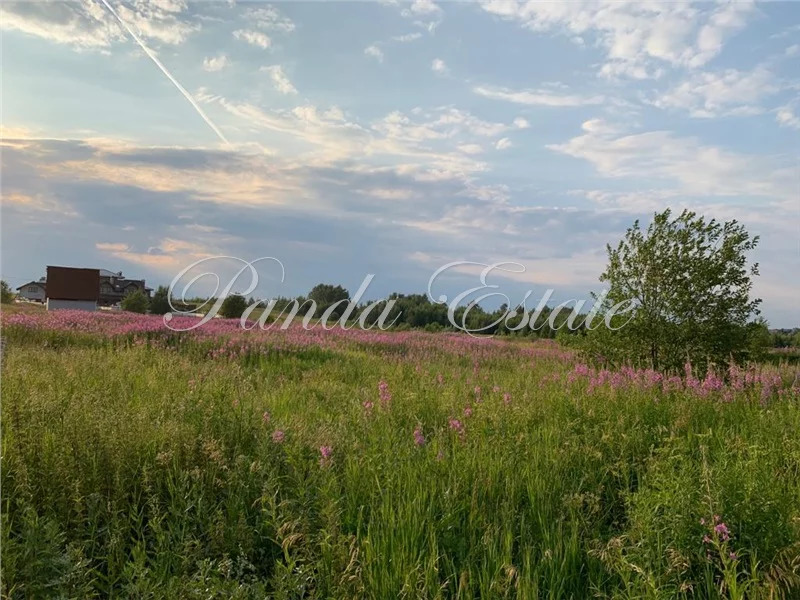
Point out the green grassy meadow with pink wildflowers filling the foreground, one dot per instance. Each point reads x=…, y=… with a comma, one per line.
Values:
x=221, y=463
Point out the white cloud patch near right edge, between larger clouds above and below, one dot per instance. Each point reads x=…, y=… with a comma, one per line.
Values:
x=728, y=92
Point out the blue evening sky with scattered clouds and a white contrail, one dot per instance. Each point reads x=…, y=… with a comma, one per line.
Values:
x=391, y=138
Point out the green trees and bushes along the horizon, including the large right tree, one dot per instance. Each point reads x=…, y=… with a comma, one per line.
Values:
x=685, y=282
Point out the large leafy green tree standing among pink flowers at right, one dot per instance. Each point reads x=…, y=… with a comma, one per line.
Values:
x=688, y=285
